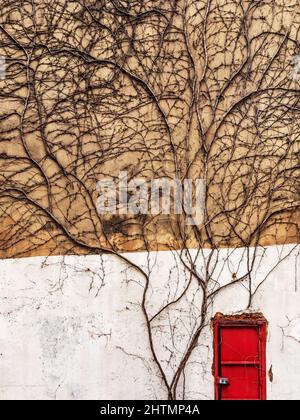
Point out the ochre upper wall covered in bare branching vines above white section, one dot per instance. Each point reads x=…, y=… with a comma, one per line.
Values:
x=160, y=89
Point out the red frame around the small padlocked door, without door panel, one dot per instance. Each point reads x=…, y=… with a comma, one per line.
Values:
x=262, y=326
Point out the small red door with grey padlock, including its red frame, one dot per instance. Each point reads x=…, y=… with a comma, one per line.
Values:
x=240, y=360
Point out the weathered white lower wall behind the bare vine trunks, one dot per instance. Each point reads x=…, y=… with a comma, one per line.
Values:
x=72, y=328
